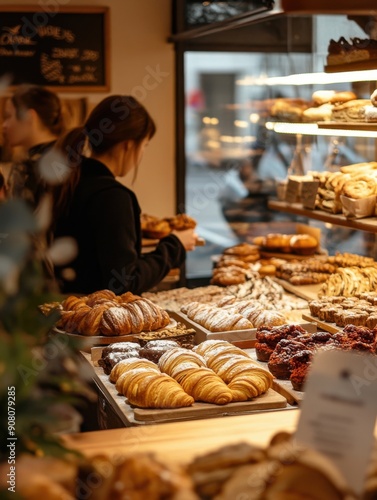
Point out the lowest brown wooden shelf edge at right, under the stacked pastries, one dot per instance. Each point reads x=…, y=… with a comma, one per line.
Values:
x=368, y=224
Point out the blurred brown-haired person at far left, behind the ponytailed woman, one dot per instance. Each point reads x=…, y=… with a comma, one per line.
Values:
x=32, y=121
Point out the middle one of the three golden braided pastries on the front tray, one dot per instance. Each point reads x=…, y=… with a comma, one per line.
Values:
x=189, y=370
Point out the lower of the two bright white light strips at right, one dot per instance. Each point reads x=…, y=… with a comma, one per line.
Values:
x=313, y=129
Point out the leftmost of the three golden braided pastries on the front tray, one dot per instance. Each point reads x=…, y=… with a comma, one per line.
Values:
x=146, y=387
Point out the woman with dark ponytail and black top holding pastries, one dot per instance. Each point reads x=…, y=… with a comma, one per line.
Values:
x=101, y=214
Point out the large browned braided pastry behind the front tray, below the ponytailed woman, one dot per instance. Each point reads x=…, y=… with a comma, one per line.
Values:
x=104, y=313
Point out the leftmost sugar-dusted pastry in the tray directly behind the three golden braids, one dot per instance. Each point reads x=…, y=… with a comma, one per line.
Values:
x=216, y=319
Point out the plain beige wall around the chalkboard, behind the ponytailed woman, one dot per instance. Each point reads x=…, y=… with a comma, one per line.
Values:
x=138, y=39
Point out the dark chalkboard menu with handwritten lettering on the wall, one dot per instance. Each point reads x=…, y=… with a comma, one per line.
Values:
x=54, y=46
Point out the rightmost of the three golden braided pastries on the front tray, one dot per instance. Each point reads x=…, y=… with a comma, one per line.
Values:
x=243, y=376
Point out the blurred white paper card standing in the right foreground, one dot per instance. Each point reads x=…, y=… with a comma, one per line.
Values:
x=339, y=411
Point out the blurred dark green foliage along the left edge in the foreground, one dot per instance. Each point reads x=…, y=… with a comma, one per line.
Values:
x=44, y=370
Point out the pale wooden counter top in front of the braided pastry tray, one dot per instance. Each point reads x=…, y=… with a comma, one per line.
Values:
x=182, y=441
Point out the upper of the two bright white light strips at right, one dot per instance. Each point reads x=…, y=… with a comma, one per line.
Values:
x=311, y=78
